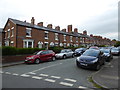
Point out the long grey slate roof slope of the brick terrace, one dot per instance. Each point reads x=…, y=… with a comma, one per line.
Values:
x=22, y=23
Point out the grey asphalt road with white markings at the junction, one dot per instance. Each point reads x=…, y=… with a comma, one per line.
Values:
x=56, y=74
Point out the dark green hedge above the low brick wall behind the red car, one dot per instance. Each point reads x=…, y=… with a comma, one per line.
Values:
x=18, y=51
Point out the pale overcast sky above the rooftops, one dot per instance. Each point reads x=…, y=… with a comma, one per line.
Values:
x=98, y=17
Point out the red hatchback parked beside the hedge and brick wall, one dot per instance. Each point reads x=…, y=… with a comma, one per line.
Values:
x=40, y=56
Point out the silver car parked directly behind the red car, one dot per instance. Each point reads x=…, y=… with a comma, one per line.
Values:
x=65, y=53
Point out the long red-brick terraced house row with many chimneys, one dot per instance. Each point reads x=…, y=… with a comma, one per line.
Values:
x=22, y=34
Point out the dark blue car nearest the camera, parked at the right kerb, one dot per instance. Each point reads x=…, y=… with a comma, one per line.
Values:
x=91, y=58
